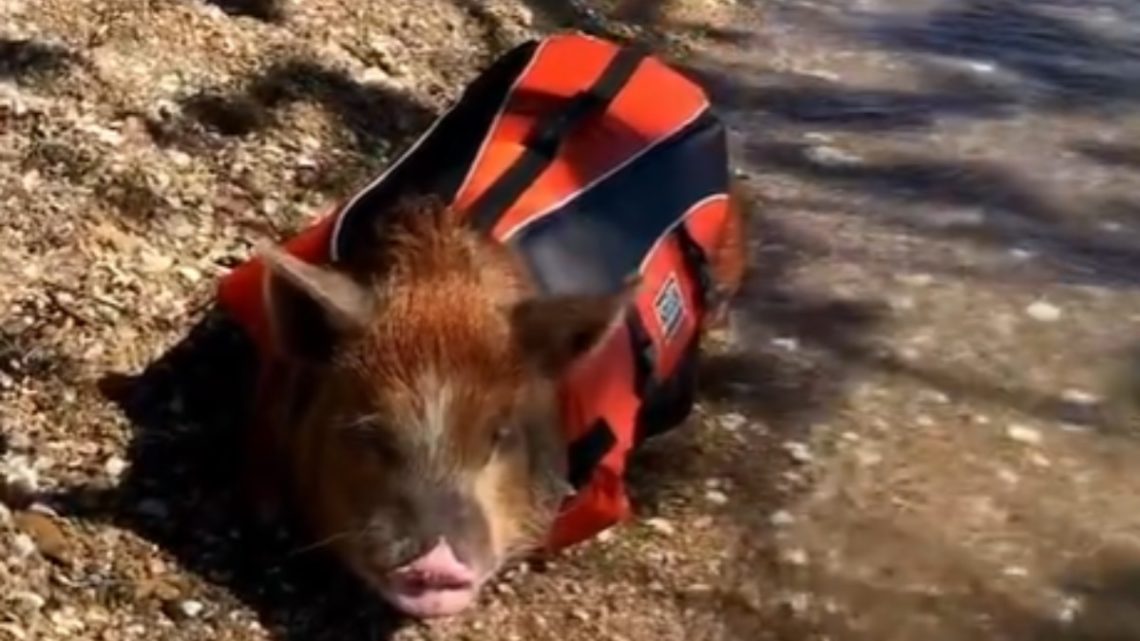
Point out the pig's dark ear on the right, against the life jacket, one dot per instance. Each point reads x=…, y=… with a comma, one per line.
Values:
x=553, y=332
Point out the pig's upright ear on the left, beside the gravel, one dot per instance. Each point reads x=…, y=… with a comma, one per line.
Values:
x=311, y=307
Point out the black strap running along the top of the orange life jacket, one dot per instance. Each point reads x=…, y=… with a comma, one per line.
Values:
x=545, y=140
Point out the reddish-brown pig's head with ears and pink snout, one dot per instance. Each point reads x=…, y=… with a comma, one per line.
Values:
x=425, y=435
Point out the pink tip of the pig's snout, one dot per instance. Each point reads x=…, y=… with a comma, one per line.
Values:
x=437, y=585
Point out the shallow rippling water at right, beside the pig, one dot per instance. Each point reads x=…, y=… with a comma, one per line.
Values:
x=968, y=174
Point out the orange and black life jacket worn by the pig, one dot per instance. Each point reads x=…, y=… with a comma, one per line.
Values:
x=593, y=161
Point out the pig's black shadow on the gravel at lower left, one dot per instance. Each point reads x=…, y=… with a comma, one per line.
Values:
x=181, y=492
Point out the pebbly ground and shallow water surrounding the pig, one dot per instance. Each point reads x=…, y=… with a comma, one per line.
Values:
x=922, y=427
